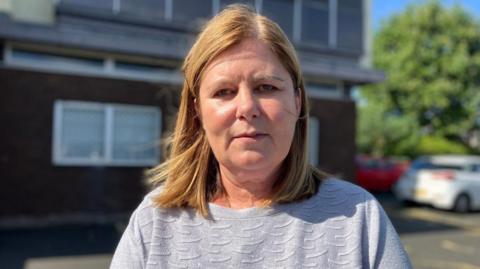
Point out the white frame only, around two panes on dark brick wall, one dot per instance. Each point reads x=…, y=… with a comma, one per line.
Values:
x=107, y=159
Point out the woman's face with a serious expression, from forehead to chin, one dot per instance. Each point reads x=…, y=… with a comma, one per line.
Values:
x=248, y=108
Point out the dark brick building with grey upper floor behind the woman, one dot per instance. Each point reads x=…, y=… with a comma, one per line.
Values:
x=90, y=87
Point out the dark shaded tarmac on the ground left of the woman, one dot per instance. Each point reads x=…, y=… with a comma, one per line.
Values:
x=58, y=247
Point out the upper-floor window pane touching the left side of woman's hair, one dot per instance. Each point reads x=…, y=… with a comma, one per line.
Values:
x=191, y=11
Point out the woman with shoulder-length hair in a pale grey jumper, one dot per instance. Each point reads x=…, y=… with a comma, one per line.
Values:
x=237, y=190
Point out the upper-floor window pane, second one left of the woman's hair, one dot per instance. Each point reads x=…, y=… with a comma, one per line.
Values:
x=144, y=8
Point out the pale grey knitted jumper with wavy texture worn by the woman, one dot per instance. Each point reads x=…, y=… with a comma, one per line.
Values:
x=342, y=226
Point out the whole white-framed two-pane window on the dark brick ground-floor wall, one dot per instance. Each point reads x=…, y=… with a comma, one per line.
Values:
x=87, y=133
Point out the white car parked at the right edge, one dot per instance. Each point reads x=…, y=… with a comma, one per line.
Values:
x=444, y=181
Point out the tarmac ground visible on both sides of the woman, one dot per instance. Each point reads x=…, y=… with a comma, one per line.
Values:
x=434, y=239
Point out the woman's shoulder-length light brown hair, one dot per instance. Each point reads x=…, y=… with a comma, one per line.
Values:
x=189, y=175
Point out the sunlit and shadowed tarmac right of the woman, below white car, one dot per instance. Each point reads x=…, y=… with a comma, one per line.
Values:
x=436, y=238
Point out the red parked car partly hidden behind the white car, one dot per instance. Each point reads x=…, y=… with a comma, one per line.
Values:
x=378, y=174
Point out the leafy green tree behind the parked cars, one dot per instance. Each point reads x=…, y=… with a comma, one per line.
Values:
x=431, y=58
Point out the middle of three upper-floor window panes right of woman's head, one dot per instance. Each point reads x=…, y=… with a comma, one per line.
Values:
x=315, y=21
